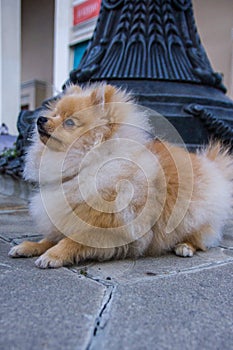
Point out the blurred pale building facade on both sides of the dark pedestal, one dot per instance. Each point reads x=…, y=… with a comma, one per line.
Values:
x=42, y=40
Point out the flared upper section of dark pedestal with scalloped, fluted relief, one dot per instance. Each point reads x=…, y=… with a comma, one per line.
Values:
x=146, y=39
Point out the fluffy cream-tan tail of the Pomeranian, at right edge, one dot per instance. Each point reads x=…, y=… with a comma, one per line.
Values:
x=222, y=157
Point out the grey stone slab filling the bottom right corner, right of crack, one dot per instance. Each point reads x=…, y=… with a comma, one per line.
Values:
x=185, y=311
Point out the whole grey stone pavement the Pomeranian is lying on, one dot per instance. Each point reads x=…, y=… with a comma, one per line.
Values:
x=154, y=303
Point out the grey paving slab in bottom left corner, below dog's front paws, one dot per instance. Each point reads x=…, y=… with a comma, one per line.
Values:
x=52, y=309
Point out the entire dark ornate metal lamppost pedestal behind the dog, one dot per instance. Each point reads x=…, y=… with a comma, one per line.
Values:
x=152, y=48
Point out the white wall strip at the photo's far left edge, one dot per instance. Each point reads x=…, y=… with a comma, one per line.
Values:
x=10, y=15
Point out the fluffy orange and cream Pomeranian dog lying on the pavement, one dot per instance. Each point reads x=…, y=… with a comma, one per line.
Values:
x=108, y=189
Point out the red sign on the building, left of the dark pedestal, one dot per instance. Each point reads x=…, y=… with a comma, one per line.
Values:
x=87, y=10
